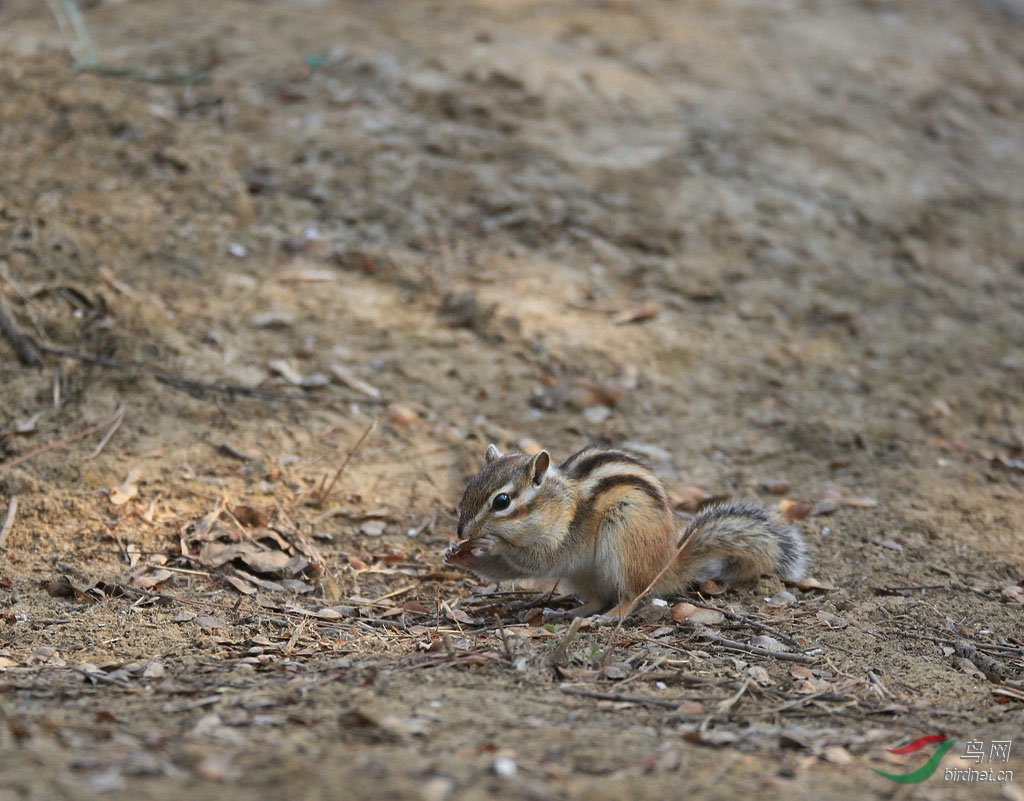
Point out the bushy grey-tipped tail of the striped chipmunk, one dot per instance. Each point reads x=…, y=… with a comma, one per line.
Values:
x=739, y=541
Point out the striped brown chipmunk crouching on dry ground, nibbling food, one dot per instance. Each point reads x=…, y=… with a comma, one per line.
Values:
x=603, y=522
